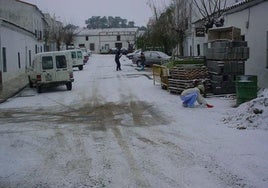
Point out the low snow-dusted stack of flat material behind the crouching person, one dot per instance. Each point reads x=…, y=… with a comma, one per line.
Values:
x=183, y=77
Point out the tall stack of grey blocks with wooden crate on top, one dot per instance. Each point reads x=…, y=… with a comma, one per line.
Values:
x=225, y=58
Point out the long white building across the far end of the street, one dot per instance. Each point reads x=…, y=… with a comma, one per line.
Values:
x=102, y=40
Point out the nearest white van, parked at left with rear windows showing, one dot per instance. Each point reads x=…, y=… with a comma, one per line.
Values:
x=51, y=69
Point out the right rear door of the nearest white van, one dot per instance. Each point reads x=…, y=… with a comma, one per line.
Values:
x=62, y=73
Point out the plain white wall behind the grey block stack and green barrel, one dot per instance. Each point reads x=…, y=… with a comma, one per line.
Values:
x=254, y=26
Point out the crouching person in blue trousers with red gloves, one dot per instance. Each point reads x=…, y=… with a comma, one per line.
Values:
x=190, y=96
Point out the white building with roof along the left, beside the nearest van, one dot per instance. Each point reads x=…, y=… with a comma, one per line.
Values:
x=21, y=36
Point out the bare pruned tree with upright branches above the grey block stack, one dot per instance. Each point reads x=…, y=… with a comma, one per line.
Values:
x=211, y=11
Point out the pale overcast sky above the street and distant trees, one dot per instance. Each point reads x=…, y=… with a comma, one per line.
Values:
x=77, y=11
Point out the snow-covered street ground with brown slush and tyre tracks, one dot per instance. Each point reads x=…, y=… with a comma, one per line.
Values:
x=118, y=129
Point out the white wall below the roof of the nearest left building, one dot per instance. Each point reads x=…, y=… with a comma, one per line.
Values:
x=20, y=49
